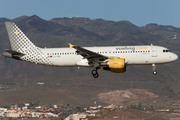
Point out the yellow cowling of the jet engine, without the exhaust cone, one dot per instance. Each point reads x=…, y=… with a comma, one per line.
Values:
x=117, y=65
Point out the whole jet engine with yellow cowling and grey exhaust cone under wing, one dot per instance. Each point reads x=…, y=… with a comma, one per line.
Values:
x=116, y=65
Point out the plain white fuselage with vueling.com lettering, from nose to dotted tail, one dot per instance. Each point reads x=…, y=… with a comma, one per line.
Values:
x=134, y=55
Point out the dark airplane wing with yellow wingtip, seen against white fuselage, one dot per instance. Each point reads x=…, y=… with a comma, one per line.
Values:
x=90, y=55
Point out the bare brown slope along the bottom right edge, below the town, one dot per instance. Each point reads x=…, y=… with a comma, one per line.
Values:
x=134, y=114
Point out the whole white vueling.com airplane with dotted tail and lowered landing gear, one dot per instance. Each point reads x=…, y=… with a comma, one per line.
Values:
x=112, y=58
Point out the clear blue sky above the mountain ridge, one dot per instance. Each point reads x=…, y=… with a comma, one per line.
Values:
x=139, y=12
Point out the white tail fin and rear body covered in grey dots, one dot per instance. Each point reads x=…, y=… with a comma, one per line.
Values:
x=22, y=45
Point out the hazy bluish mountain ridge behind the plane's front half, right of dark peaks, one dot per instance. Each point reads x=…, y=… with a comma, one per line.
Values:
x=126, y=33
